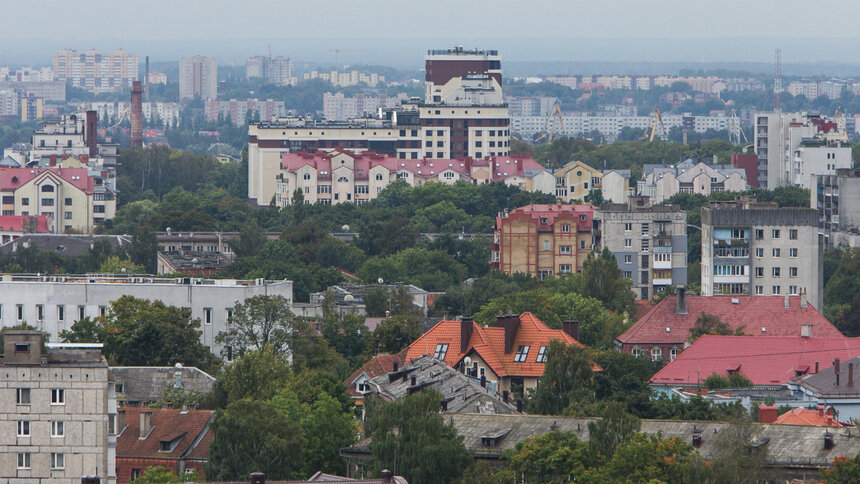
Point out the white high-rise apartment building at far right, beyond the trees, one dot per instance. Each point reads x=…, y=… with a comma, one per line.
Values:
x=793, y=147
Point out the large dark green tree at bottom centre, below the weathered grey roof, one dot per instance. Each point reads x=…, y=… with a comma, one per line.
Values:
x=410, y=438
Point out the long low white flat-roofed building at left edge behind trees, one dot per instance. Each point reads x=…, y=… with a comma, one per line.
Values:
x=55, y=303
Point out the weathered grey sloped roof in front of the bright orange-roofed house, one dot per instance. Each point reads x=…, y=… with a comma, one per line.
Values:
x=462, y=393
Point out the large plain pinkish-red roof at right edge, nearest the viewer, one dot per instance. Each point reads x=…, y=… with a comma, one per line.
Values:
x=766, y=361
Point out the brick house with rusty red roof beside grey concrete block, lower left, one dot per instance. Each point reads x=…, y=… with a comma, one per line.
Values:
x=175, y=439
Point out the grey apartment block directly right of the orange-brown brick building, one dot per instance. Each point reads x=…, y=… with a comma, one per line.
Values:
x=648, y=241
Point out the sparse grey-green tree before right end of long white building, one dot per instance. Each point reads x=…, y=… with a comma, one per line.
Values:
x=259, y=322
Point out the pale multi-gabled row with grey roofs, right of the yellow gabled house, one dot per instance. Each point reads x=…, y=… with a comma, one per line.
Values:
x=661, y=182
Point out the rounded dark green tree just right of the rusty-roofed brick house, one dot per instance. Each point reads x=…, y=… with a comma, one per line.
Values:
x=254, y=436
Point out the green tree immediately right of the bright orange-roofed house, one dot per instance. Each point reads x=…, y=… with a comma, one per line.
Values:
x=568, y=378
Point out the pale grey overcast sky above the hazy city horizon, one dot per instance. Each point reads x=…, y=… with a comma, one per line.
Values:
x=551, y=30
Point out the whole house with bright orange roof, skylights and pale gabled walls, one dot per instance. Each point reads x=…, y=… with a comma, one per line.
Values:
x=511, y=354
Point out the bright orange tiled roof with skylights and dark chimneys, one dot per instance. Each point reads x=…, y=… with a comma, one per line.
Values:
x=489, y=344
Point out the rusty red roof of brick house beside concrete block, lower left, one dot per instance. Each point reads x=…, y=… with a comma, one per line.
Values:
x=168, y=424
